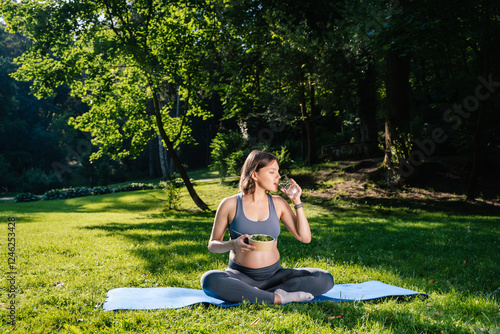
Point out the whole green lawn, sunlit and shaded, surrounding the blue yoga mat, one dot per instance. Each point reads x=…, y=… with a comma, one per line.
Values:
x=69, y=253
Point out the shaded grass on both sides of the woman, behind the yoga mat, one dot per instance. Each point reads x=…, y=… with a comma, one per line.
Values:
x=398, y=244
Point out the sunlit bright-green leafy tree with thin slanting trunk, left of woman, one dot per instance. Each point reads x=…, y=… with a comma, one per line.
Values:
x=119, y=56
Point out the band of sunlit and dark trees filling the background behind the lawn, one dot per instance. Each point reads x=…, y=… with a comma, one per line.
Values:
x=418, y=79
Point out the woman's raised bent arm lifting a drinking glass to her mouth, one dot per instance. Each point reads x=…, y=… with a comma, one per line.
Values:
x=296, y=223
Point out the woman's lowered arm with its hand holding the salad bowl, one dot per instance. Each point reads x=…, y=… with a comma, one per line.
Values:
x=223, y=217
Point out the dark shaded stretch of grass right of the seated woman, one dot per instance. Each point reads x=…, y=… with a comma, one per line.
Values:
x=419, y=242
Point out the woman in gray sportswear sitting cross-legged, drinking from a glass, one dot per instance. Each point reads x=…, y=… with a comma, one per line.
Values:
x=257, y=276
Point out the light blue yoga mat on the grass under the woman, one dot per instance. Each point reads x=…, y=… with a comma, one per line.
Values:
x=171, y=297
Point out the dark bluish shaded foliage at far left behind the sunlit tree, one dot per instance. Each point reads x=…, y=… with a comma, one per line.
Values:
x=34, y=134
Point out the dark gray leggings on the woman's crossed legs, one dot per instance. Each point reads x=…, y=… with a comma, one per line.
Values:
x=238, y=283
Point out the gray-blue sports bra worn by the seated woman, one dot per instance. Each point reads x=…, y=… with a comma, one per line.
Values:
x=243, y=225
